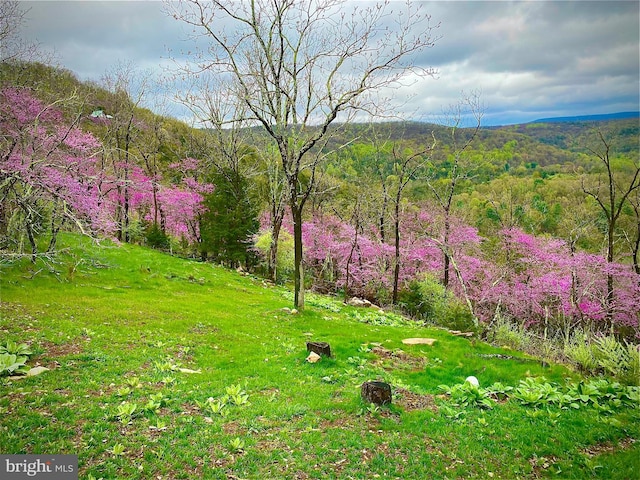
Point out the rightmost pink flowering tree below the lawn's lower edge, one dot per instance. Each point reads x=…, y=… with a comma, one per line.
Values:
x=547, y=286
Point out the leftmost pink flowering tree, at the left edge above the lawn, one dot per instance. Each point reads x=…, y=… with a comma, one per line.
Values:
x=48, y=171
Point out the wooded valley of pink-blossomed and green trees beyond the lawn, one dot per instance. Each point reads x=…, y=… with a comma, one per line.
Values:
x=456, y=224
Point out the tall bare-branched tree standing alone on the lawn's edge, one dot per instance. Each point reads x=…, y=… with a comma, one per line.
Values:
x=301, y=67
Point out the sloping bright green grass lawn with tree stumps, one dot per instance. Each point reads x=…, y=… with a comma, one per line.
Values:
x=114, y=322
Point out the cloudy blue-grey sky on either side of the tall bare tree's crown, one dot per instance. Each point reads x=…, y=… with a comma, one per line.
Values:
x=526, y=59
